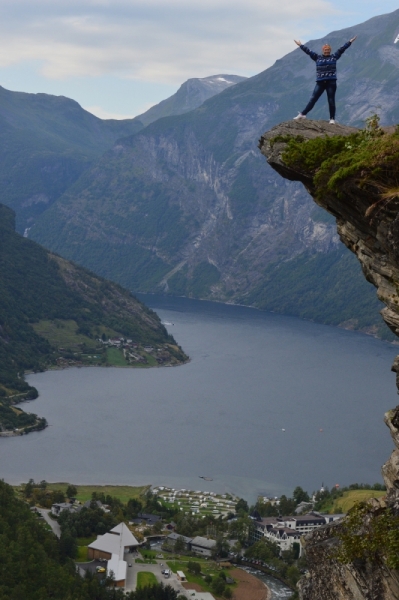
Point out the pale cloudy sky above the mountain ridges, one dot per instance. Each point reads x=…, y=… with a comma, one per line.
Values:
x=119, y=57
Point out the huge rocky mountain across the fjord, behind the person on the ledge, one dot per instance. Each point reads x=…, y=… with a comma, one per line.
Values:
x=186, y=206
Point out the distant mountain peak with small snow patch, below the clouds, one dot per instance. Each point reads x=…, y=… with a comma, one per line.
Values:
x=191, y=94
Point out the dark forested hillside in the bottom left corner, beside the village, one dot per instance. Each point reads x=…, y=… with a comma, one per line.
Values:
x=35, y=565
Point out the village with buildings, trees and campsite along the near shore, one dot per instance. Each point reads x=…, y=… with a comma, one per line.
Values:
x=226, y=555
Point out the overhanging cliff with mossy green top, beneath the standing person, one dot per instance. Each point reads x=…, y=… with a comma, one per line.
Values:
x=356, y=182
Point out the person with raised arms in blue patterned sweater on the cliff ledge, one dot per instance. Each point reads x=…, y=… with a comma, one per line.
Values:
x=326, y=76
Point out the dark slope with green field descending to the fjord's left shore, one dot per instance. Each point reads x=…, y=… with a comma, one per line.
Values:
x=52, y=311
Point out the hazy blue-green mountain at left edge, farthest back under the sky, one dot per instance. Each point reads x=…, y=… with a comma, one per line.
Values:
x=46, y=142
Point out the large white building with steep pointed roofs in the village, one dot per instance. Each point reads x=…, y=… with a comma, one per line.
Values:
x=113, y=546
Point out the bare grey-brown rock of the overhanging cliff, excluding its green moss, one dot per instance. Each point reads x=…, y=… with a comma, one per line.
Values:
x=375, y=241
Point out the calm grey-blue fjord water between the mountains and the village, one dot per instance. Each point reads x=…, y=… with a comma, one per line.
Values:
x=267, y=403
